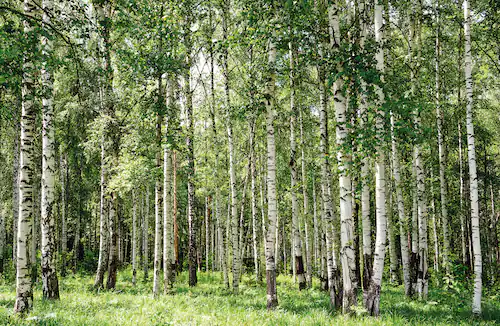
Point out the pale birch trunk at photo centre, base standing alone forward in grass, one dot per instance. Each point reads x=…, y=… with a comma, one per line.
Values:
x=272, y=210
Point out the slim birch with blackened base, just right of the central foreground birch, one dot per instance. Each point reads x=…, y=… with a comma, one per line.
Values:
x=297, y=241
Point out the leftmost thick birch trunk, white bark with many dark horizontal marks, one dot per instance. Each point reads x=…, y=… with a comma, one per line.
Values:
x=24, y=291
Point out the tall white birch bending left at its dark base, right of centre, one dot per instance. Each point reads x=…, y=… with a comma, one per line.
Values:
x=372, y=298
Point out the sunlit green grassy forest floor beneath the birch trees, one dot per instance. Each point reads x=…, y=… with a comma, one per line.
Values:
x=209, y=303
